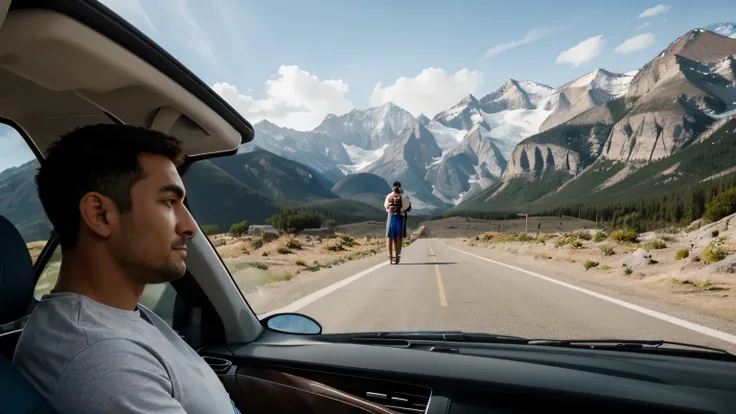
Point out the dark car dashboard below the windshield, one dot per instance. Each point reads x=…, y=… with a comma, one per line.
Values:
x=280, y=373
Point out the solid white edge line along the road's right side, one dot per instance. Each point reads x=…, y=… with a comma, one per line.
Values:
x=659, y=315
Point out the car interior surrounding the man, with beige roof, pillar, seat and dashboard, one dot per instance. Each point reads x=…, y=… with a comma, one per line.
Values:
x=69, y=63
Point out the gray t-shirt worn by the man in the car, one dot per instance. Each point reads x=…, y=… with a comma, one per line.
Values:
x=86, y=357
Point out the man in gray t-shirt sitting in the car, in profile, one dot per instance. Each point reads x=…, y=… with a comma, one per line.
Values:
x=115, y=199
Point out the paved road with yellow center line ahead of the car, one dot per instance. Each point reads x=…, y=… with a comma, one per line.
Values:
x=437, y=288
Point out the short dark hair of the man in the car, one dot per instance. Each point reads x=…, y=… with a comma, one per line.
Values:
x=102, y=158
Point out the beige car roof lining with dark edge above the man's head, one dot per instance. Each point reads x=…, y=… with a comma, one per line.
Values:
x=57, y=74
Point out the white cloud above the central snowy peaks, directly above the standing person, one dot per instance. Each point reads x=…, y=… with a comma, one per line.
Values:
x=430, y=92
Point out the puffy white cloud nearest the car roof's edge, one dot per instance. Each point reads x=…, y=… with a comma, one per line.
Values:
x=295, y=99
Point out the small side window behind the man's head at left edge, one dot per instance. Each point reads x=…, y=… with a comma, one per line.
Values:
x=19, y=201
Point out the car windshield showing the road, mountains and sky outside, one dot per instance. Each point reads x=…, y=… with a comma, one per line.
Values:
x=543, y=170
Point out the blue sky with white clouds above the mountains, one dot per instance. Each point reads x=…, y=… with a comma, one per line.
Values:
x=295, y=61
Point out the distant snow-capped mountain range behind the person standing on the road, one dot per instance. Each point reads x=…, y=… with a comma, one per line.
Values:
x=459, y=152
